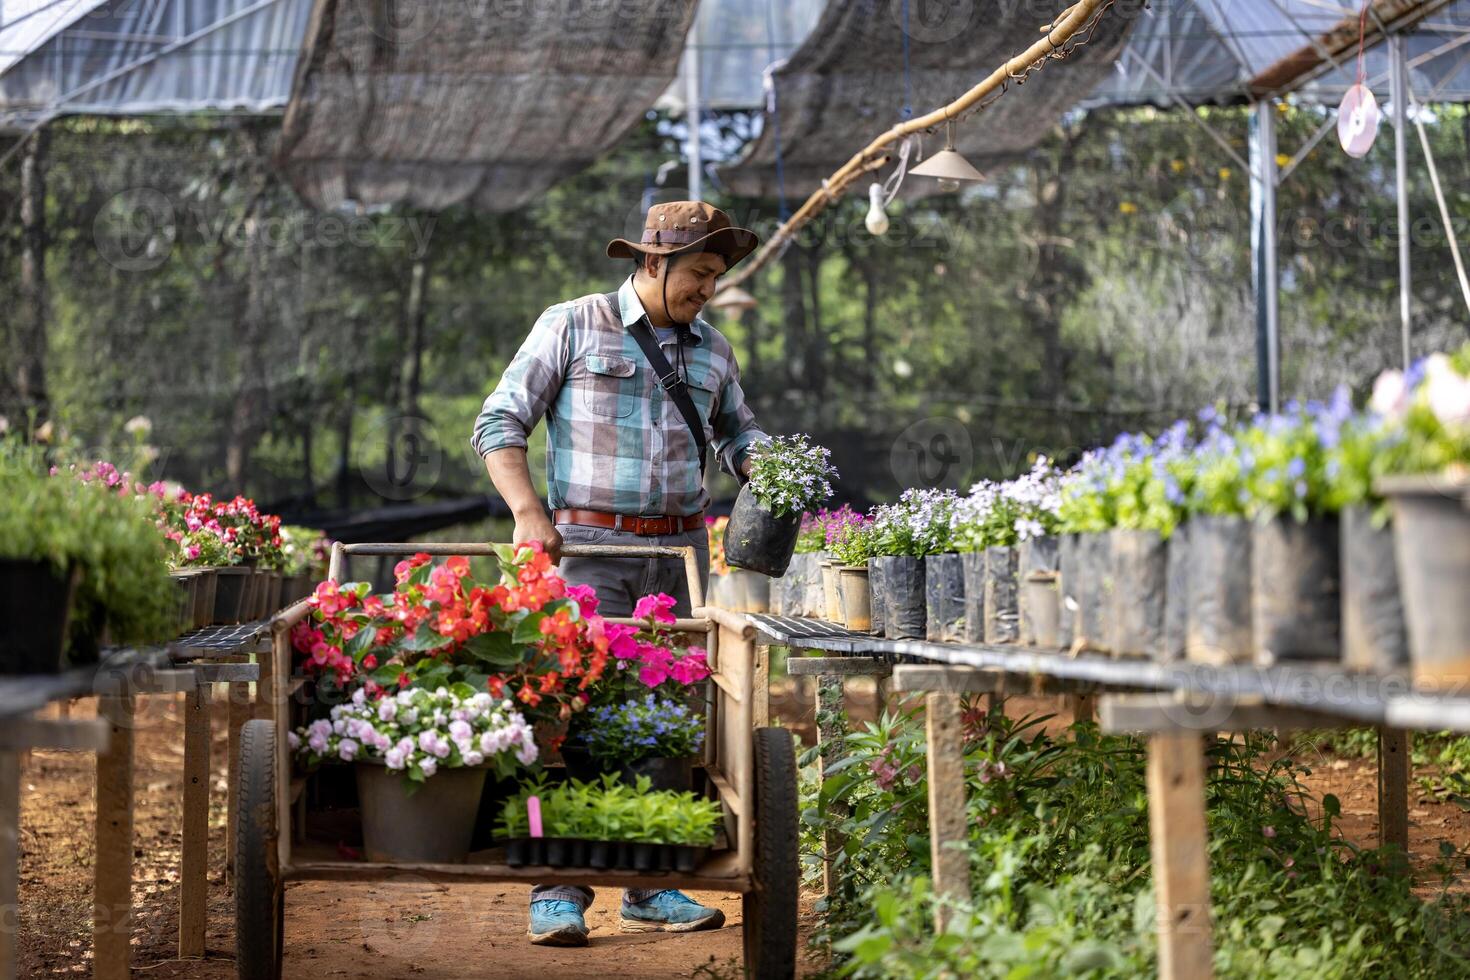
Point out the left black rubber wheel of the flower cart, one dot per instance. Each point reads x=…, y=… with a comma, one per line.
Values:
x=259, y=894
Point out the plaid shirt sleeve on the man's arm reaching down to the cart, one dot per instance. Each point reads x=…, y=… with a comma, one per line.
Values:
x=528, y=387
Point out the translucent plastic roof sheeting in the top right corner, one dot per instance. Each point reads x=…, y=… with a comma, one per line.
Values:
x=1212, y=52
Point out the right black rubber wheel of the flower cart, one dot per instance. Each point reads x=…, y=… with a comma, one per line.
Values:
x=771, y=909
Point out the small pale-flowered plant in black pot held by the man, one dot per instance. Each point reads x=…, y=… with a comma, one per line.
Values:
x=789, y=477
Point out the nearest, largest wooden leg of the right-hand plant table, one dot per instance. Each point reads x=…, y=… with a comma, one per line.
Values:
x=1181, y=857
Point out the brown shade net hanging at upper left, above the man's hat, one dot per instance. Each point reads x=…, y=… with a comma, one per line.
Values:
x=478, y=104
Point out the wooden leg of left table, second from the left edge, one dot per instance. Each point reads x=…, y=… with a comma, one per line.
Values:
x=112, y=913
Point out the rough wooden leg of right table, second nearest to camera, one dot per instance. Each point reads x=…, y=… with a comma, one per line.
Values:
x=947, y=821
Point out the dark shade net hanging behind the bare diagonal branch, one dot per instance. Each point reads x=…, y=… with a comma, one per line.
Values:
x=847, y=84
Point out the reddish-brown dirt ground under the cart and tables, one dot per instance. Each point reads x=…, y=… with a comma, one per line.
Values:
x=415, y=929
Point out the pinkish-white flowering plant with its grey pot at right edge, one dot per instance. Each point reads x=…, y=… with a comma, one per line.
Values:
x=1428, y=483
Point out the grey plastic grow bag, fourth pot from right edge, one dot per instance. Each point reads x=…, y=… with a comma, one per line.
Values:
x=1219, y=591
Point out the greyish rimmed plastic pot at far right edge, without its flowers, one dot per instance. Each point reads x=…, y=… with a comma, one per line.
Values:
x=1433, y=550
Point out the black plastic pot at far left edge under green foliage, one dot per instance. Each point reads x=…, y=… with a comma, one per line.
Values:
x=36, y=603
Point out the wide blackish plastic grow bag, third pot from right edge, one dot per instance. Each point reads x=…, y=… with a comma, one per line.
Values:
x=1296, y=590
